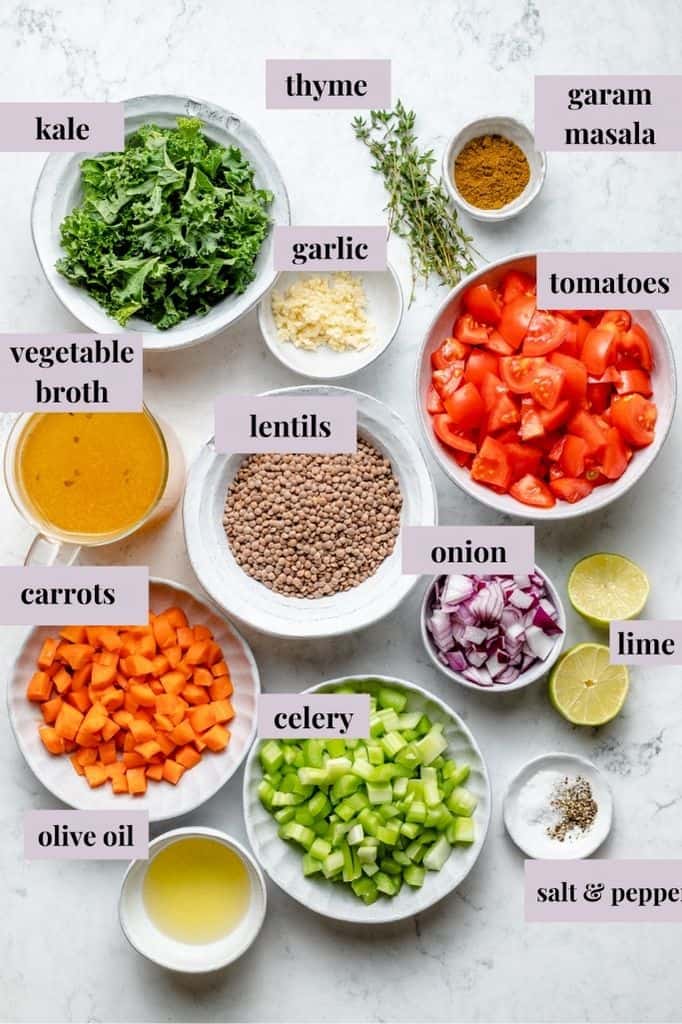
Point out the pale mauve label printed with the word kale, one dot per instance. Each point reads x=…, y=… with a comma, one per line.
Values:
x=61, y=127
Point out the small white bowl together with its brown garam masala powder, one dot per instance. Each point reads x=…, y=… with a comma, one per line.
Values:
x=492, y=168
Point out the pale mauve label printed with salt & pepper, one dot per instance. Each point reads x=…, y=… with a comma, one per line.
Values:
x=604, y=891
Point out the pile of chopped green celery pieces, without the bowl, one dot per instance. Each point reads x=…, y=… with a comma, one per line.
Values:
x=372, y=814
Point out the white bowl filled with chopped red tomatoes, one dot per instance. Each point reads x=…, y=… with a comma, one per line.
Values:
x=542, y=414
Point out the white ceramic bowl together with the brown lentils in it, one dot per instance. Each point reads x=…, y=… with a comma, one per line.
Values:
x=310, y=545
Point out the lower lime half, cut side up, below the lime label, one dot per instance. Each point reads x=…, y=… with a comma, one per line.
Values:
x=585, y=689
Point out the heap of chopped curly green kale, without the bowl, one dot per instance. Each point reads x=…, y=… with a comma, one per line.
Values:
x=166, y=229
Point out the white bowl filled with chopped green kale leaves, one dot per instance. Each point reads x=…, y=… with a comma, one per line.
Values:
x=173, y=236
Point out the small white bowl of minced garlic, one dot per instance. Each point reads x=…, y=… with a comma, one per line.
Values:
x=330, y=325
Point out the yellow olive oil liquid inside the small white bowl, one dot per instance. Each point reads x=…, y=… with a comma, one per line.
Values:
x=197, y=890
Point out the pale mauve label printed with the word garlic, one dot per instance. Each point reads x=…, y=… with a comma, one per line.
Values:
x=330, y=248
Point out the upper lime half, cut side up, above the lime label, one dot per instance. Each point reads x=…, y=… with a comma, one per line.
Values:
x=604, y=588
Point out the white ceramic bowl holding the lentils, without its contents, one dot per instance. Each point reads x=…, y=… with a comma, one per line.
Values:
x=251, y=602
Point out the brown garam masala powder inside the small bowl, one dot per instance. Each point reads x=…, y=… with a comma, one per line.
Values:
x=491, y=172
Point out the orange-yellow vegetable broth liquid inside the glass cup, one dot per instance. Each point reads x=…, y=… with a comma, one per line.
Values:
x=92, y=475
